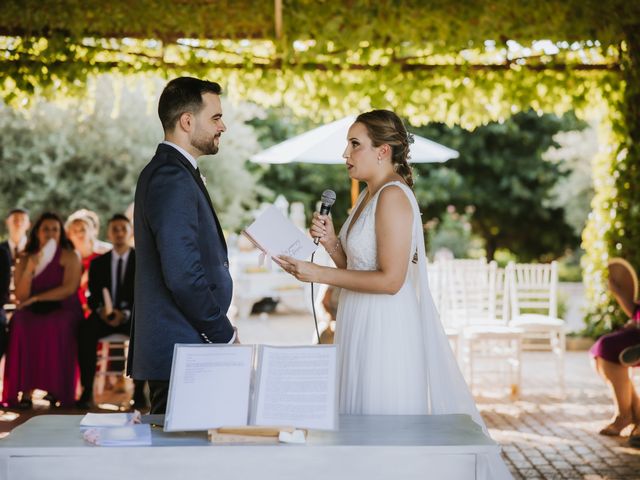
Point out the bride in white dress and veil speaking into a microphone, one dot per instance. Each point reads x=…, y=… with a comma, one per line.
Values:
x=394, y=356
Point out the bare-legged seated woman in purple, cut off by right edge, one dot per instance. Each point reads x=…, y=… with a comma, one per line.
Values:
x=606, y=352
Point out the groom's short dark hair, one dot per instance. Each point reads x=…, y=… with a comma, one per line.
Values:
x=183, y=94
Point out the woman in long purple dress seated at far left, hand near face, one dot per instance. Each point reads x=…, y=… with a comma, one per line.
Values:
x=42, y=333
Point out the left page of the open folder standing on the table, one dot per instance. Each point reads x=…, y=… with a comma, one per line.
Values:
x=209, y=387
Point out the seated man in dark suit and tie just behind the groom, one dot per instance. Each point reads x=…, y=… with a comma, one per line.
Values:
x=114, y=272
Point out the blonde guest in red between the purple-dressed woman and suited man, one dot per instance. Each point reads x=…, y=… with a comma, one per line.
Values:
x=82, y=229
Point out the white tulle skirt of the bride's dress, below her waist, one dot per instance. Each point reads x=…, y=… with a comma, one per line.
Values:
x=382, y=367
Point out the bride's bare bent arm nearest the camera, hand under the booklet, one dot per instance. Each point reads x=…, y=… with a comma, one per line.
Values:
x=394, y=219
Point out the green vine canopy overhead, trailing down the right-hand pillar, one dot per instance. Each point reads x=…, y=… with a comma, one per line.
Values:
x=464, y=63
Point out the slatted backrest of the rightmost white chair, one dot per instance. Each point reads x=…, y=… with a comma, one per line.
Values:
x=533, y=288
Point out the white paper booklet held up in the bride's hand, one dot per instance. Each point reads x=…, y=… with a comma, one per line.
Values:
x=274, y=234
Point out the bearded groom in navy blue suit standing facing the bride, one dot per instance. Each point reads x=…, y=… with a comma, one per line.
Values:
x=182, y=284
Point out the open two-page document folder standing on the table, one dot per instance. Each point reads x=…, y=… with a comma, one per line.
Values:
x=214, y=386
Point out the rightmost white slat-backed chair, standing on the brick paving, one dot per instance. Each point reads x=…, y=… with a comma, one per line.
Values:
x=533, y=292
